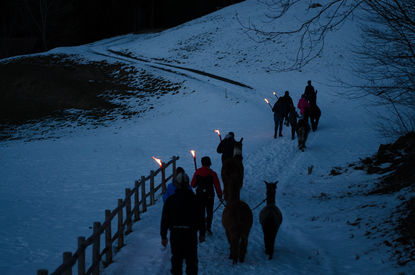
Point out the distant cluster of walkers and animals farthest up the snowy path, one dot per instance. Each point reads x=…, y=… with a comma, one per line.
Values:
x=284, y=110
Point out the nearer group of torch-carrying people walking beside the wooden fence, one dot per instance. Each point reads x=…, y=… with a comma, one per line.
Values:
x=185, y=213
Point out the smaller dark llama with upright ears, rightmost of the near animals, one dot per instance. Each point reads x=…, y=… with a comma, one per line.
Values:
x=270, y=218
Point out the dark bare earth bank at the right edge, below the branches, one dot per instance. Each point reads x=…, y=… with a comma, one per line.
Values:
x=396, y=164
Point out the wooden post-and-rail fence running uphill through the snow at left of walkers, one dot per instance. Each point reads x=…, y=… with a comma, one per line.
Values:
x=138, y=197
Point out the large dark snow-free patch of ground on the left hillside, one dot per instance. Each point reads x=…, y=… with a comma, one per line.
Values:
x=42, y=93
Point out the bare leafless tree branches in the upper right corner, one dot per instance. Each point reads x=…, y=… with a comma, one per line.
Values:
x=386, y=59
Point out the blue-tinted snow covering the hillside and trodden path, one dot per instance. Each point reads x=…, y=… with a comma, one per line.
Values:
x=52, y=190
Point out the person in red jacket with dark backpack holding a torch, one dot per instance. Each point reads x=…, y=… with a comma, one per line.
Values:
x=204, y=180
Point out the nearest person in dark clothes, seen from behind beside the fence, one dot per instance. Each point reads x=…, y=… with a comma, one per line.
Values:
x=182, y=215
